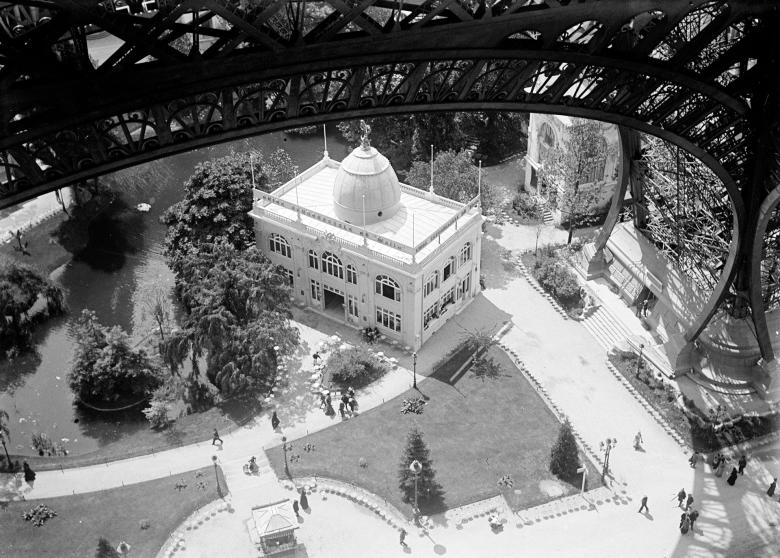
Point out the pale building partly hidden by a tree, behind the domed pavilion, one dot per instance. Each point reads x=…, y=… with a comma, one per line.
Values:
x=545, y=131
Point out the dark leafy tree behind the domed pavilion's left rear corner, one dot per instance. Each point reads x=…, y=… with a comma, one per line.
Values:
x=218, y=198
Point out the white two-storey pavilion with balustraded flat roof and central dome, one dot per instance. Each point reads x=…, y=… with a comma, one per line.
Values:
x=368, y=251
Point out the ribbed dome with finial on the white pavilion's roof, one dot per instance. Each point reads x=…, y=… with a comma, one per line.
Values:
x=366, y=186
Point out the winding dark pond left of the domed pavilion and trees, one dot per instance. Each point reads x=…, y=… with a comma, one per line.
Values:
x=126, y=263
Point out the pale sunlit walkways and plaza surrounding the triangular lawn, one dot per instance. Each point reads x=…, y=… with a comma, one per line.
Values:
x=735, y=521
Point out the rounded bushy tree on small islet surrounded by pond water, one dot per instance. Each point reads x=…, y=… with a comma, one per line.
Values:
x=105, y=368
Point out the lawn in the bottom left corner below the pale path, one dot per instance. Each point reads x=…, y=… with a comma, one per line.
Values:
x=114, y=514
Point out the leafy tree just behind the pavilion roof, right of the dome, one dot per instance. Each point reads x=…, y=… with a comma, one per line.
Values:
x=455, y=176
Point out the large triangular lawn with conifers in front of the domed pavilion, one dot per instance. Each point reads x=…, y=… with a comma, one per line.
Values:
x=477, y=431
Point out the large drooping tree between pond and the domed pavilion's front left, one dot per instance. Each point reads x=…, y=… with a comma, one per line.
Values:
x=238, y=311
